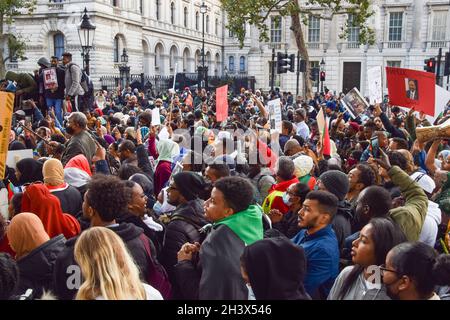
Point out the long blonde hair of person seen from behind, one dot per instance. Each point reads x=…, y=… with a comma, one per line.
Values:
x=107, y=267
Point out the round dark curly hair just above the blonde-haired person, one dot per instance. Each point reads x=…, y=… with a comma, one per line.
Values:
x=108, y=196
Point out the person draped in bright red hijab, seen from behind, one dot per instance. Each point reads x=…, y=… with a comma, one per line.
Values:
x=38, y=200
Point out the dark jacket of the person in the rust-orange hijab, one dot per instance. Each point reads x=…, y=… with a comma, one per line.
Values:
x=36, y=268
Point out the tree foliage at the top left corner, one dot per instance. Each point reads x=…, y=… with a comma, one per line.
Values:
x=13, y=43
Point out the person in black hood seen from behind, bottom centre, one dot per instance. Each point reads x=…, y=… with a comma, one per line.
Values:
x=276, y=269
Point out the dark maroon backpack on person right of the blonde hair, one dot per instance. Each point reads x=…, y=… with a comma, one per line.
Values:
x=157, y=276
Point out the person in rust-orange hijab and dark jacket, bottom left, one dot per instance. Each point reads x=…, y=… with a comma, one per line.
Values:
x=35, y=252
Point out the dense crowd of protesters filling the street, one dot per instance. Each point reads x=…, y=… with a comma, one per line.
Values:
x=118, y=204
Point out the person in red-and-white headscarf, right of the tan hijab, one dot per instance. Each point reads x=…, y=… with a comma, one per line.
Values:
x=77, y=173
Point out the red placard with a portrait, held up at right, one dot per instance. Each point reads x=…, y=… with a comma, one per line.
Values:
x=411, y=88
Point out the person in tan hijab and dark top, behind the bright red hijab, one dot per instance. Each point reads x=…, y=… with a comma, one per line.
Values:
x=69, y=197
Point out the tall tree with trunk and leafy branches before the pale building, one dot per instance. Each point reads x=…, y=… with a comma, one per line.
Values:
x=257, y=12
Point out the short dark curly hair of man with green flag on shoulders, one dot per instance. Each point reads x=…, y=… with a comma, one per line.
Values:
x=237, y=191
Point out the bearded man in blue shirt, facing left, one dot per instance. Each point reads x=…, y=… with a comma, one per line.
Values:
x=319, y=242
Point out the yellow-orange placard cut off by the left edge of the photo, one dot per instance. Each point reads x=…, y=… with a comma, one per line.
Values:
x=6, y=110
